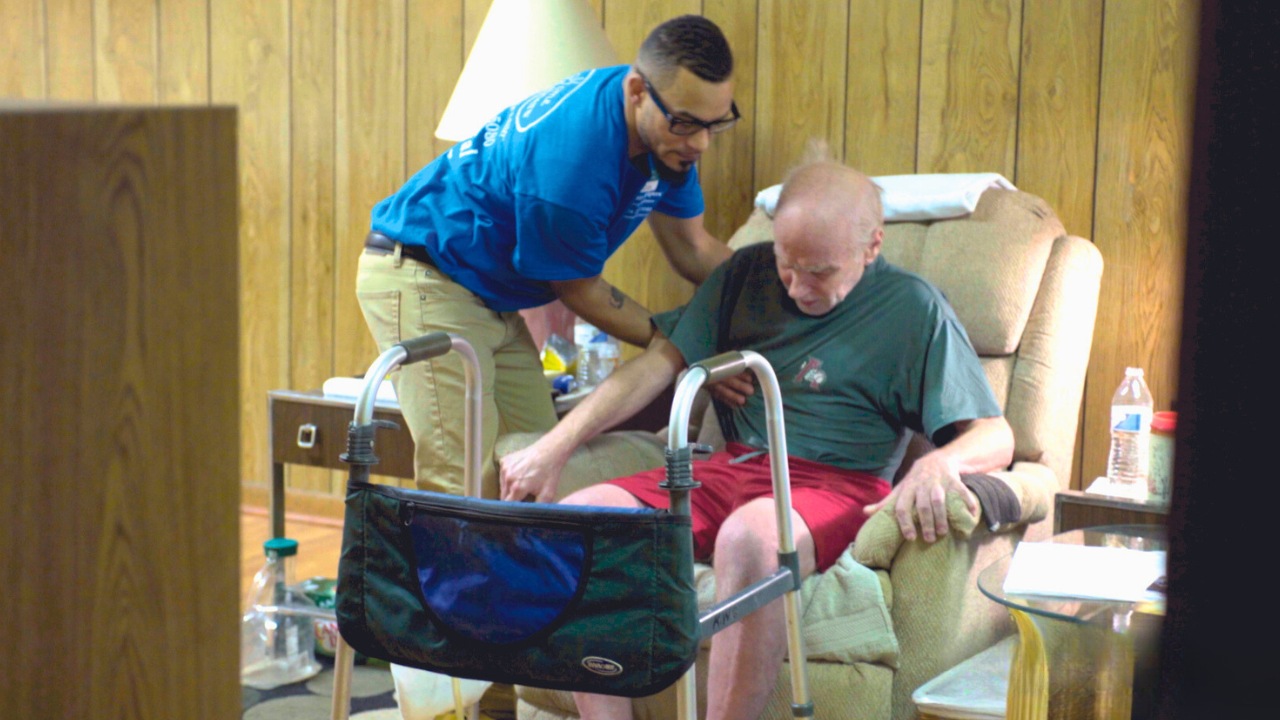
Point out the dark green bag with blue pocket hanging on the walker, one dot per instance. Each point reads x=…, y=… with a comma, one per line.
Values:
x=566, y=598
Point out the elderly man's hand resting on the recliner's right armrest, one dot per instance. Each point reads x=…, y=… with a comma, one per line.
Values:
x=924, y=494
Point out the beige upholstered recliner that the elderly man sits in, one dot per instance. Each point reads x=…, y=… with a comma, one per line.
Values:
x=1027, y=294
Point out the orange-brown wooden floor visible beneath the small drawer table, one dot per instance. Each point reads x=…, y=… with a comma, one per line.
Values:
x=319, y=546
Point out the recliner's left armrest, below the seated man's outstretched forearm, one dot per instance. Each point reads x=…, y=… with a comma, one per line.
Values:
x=604, y=458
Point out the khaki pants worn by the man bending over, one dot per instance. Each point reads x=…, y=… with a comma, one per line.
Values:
x=403, y=299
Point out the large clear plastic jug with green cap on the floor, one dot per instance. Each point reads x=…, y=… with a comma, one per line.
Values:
x=277, y=632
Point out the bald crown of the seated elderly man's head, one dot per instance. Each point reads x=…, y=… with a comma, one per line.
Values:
x=835, y=195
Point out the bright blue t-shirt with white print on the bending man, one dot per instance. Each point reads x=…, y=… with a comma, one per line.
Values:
x=543, y=193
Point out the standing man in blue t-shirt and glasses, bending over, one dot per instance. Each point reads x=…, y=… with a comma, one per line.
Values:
x=528, y=212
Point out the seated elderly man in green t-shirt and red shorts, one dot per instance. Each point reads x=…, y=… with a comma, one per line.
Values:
x=863, y=352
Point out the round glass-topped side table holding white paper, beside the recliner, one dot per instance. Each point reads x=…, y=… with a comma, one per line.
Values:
x=1081, y=658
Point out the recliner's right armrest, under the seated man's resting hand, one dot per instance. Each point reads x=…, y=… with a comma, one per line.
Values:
x=880, y=540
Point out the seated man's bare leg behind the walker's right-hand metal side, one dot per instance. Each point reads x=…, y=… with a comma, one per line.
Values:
x=746, y=658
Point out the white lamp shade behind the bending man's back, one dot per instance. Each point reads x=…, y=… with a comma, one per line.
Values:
x=524, y=47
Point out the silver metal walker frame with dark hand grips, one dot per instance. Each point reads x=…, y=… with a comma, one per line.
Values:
x=785, y=582
